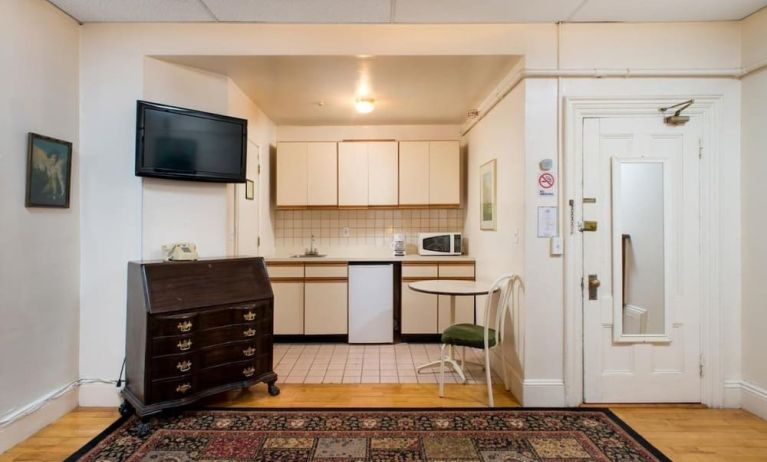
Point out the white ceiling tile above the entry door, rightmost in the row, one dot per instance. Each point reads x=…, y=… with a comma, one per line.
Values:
x=667, y=11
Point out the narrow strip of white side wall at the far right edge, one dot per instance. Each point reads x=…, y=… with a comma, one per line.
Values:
x=754, y=192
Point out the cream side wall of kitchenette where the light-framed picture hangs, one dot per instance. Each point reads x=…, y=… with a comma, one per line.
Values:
x=500, y=136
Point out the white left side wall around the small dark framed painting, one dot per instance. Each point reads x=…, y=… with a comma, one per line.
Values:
x=39, y=248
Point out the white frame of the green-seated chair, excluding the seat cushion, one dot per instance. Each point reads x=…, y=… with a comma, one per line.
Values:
x=506, y=284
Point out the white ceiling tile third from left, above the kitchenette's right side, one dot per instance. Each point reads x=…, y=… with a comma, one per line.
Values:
x=483, y=11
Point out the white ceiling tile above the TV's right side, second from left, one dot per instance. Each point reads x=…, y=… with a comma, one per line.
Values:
x=302, y=11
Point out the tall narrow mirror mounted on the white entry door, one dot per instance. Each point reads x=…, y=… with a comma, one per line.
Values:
x=639, y=243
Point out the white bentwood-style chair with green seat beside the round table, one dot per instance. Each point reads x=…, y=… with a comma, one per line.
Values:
x=482, y=337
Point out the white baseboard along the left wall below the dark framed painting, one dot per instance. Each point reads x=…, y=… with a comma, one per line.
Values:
x=25, y=422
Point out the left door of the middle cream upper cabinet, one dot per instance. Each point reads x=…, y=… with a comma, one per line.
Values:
x=352, y=174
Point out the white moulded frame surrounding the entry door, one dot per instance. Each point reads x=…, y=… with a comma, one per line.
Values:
x=709, y=109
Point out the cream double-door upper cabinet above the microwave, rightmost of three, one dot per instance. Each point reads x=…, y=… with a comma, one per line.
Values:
x=429, y=173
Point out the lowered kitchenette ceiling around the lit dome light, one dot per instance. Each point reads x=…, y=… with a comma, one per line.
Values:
x=407, y=89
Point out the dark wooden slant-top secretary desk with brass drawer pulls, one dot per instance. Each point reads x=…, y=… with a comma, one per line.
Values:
x=194, y=329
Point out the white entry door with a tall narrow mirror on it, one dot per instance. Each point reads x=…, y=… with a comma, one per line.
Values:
x=641, y=252
